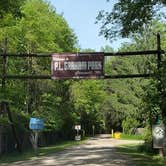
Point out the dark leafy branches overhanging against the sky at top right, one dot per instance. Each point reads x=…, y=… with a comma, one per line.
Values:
x=128, y=16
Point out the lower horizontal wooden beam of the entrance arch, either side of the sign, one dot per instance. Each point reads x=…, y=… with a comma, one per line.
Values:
x=25, y=77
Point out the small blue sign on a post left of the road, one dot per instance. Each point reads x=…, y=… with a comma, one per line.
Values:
x=36, y=124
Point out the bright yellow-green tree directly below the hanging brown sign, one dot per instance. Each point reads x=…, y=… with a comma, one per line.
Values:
x=87, y=96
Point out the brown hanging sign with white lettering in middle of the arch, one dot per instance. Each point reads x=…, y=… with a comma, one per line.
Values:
x=83, y=65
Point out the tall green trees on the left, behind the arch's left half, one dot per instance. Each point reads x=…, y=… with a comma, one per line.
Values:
x=39, y=29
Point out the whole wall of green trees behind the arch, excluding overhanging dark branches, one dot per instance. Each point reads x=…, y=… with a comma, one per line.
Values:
x=106, y=104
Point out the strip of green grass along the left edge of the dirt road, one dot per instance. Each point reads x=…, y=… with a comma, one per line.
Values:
x=29, y=155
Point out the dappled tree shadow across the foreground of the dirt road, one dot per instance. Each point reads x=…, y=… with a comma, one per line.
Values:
x=80, y=156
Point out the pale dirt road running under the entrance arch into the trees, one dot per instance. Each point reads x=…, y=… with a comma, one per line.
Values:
x=98, y=151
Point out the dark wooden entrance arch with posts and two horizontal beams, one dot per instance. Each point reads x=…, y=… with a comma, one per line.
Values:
x=5, y=107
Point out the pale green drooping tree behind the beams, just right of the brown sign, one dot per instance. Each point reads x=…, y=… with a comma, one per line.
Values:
x=124, y=100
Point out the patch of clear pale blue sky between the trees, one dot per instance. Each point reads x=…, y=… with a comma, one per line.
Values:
x=80, y=15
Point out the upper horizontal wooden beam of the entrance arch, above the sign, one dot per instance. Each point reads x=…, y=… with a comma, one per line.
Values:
x=47, y=55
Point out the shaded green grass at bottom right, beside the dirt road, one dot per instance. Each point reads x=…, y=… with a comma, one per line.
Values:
x=139, y=158
